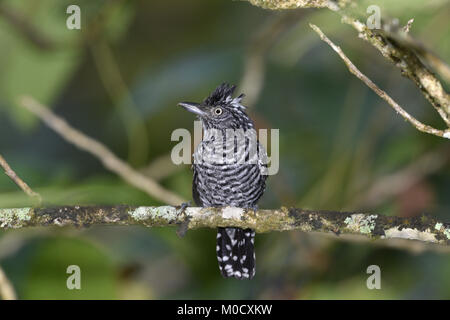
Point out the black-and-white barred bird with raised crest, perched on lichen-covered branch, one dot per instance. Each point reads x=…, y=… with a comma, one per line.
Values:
x=229, y=169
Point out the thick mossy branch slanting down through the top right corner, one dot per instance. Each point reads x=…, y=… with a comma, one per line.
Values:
x=395, y=44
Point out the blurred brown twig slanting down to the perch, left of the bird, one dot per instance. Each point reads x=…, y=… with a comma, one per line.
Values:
x=99, y=150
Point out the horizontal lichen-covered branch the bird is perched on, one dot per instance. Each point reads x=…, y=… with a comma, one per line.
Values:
x=372, y=226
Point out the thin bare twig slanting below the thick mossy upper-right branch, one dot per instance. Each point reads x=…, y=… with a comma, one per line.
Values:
x=382, y=94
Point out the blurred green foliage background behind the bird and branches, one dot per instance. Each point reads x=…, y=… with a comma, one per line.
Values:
x=129, y=66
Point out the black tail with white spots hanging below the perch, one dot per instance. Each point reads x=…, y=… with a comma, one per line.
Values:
x=236, y=252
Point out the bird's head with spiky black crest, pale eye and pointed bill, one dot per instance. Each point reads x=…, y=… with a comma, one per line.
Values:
x=220, y=110
